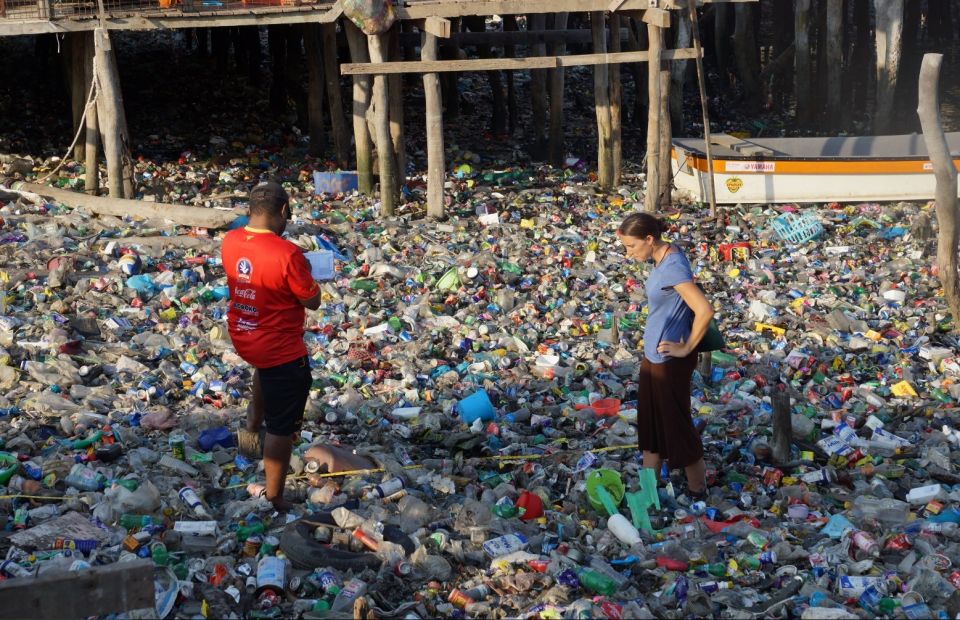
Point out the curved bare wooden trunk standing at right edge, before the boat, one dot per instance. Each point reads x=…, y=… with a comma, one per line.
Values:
x=946, y=175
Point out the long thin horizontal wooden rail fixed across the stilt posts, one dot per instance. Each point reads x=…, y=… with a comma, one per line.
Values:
x=499, y=64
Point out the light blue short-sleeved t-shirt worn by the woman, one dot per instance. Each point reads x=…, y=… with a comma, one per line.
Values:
x=669, y=317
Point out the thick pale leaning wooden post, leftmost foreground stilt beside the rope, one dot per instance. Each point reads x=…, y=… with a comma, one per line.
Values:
x=112, y=118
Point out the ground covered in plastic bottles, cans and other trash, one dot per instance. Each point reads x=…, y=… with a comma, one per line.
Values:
x=488, y=362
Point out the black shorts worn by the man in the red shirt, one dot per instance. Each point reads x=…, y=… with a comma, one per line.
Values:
x=285, y=389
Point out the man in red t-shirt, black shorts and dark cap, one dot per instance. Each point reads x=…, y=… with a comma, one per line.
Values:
x=270, y=285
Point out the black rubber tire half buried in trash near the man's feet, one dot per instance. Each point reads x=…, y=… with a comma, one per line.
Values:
x=298, y=544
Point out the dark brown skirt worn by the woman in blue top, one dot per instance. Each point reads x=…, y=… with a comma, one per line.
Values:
x=664, y=424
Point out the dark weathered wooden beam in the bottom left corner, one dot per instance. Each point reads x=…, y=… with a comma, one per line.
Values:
x=97, y=591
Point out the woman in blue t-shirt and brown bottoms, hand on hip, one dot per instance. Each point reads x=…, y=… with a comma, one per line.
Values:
x=678, y=318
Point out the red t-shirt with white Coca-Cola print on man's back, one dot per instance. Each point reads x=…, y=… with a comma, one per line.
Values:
x=267, y=276
